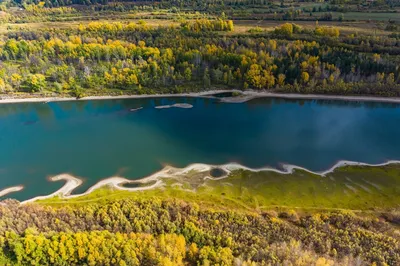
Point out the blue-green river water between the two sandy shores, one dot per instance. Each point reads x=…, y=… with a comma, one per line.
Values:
x=98, y=139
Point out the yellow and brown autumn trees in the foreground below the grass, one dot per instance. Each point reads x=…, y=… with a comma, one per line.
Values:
x=173, y=232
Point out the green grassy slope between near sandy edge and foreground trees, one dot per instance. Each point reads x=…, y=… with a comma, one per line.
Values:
x=355, y=188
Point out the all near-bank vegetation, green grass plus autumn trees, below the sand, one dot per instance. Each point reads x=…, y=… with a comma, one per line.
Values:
x=193, y=221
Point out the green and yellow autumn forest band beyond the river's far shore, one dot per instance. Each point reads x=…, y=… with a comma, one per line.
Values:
x=136, y=58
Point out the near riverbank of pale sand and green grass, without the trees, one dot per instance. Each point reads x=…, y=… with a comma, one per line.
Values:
x=349, y=186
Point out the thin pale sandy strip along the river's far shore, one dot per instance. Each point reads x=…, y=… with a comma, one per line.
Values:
x=244, y=97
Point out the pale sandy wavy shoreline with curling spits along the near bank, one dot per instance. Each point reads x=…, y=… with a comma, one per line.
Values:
x=170, y=172
